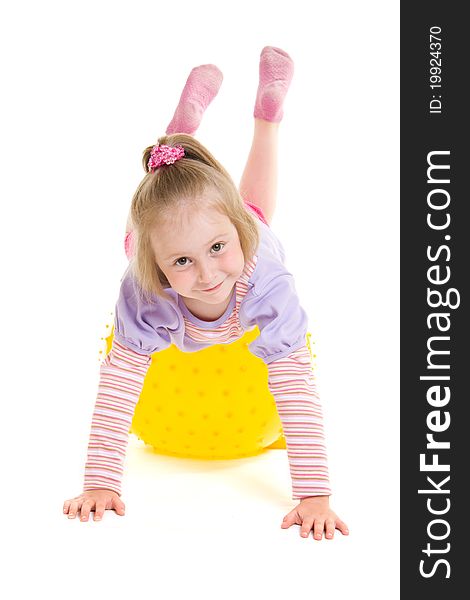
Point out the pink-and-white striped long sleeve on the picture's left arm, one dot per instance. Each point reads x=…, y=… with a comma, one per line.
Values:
x=121, y=381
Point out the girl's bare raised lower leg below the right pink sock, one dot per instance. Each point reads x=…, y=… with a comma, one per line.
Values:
x=259, y=180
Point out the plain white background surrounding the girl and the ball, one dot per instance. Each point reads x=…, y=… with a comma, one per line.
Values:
x=86, y=87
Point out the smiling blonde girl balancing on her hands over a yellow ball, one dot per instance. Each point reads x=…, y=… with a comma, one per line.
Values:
x=204, y=268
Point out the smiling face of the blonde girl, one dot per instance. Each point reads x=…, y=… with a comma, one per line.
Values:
x=200, y=254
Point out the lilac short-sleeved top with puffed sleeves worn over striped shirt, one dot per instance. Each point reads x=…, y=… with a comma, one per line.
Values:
x=271, y=303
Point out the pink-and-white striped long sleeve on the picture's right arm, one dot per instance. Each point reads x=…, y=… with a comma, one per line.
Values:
x=291, y=382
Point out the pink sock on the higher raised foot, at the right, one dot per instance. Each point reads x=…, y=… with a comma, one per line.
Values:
x=275, y=74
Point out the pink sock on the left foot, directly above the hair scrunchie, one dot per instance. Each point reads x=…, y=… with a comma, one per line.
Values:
x=201, y=88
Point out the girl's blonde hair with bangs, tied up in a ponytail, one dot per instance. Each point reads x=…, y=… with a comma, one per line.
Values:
x=172, y=187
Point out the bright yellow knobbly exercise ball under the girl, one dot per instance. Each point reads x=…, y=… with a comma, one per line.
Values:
x=211, y=404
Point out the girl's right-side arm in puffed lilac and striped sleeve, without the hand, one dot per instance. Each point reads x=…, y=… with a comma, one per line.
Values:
x=273, y=305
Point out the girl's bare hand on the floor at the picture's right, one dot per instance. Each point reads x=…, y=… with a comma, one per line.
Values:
x=315, y=512
